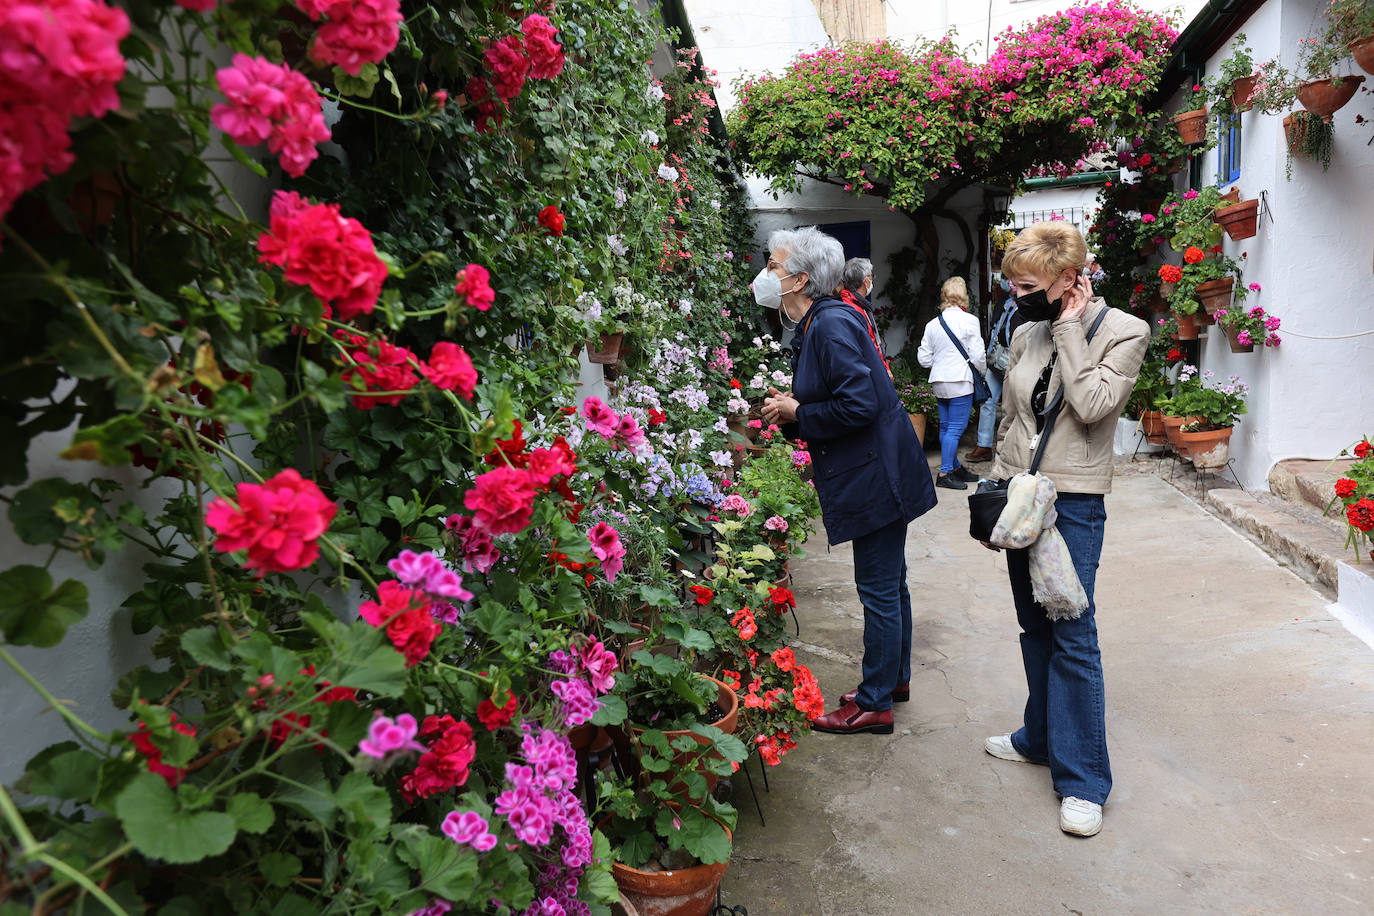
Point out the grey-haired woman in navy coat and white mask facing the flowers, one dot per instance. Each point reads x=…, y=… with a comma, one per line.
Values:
x=870, y=470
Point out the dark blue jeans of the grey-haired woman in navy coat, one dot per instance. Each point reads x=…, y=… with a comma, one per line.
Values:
x=881, y=579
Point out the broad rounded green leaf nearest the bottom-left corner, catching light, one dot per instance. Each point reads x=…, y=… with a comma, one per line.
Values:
x=156, y=823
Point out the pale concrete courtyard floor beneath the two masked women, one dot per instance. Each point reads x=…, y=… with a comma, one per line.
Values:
x=1240, y=723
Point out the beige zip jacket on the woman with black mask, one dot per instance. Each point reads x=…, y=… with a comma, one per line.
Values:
x=1097, y=381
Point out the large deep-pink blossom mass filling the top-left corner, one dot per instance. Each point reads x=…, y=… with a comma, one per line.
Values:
x=60, y=60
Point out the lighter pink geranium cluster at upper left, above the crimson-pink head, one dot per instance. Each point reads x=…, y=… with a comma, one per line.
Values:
x=270, y=102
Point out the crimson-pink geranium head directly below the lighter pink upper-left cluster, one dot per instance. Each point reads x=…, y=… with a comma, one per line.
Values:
x=318, y=247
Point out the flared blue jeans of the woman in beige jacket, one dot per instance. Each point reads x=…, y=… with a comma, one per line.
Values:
x=1066, y=719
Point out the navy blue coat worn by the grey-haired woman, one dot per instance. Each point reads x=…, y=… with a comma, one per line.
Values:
x=870, y=469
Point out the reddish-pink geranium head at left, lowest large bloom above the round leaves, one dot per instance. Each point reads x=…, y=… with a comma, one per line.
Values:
x=278, y=523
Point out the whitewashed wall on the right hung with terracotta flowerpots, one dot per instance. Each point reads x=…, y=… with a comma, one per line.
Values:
x=1313, y=256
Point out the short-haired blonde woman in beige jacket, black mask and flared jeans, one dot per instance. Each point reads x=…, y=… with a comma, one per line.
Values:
x=1066, y=720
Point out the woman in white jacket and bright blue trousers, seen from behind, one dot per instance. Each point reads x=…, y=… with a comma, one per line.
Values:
x=951, y=377
